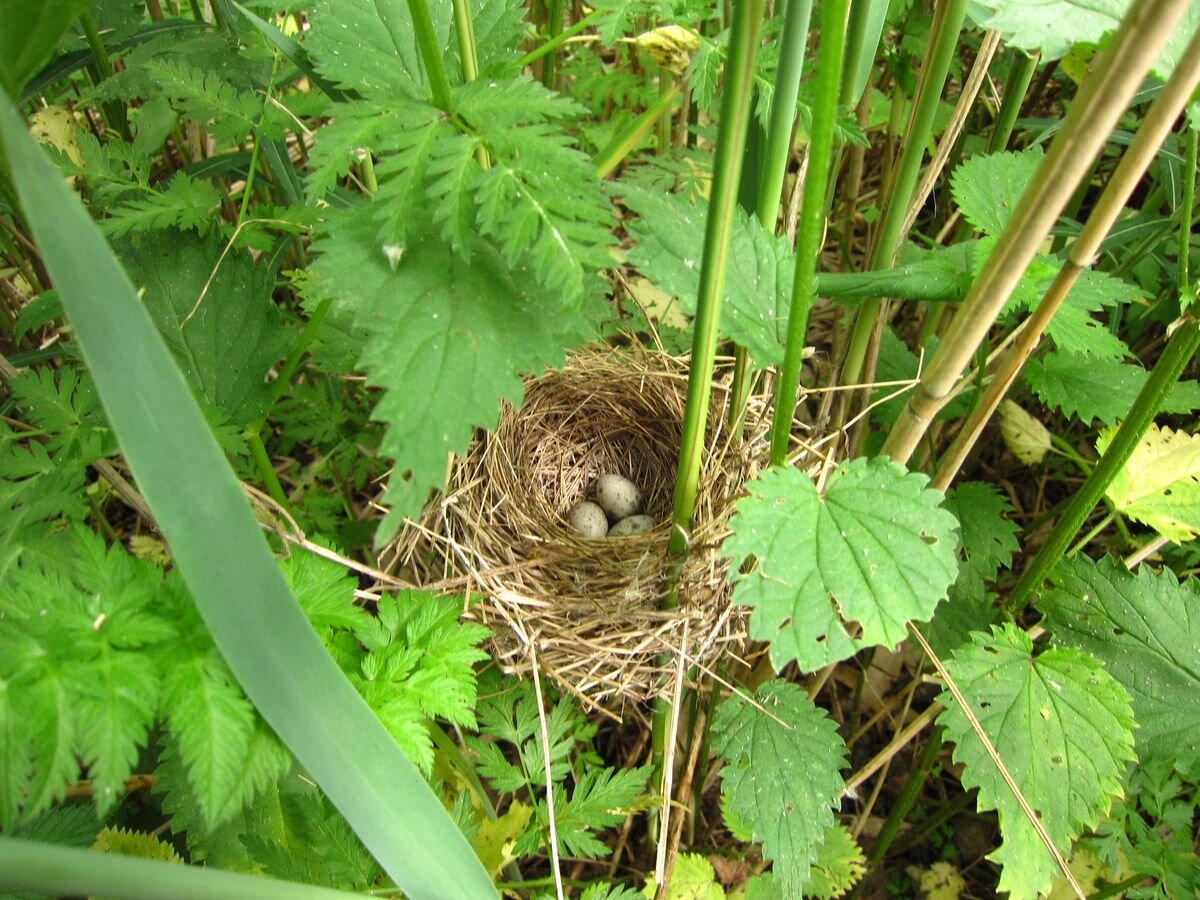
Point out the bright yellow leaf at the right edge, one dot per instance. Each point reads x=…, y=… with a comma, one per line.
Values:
x=1160, y=485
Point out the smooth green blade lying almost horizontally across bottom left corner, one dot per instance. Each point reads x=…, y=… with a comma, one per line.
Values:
x=50, y=869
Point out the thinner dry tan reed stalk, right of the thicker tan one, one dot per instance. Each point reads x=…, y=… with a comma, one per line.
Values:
x=1154, y=131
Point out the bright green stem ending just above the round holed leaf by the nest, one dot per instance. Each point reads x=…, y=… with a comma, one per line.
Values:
x=811, y=231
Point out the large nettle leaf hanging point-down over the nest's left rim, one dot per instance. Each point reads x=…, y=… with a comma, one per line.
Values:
x=448, y=340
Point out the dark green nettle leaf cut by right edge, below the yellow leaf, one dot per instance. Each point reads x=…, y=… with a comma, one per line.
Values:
x=1147, y=631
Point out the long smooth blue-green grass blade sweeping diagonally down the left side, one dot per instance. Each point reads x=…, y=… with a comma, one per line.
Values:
x=224, y=557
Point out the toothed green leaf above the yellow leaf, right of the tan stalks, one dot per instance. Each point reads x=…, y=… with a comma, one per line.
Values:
x=1095, y=388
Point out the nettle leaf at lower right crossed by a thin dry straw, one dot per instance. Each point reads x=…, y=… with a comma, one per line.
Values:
x=1064, y=729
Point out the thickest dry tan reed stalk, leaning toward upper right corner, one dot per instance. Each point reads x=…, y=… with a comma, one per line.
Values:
x=1102, y=99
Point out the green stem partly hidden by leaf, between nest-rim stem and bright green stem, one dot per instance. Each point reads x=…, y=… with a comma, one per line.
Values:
x=777, y=151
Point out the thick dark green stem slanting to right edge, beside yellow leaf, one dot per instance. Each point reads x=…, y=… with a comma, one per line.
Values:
x=1180, y=351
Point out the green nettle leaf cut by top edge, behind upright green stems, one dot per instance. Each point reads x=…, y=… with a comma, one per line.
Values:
x=353, y=47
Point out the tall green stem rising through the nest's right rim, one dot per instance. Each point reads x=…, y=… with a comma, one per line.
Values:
x=727, y=171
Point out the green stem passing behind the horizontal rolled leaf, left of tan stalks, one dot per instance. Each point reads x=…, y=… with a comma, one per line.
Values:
x=943, y=51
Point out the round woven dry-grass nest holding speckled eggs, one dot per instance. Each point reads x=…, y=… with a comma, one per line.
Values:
x=590, y=608
